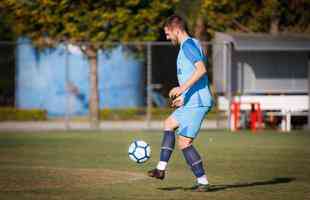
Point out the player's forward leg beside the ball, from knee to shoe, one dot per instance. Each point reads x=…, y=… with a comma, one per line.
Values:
x=167, y=148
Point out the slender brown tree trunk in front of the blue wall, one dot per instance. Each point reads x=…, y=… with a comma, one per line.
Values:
x=94, y=97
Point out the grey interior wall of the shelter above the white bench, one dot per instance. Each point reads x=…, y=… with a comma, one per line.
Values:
x=270, y=72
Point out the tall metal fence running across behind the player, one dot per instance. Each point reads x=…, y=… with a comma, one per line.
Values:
x=135, y=79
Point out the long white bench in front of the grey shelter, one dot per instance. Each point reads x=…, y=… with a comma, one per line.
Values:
x=281, y=105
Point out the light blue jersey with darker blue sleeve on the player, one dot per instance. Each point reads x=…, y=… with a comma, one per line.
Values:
x=199, y=94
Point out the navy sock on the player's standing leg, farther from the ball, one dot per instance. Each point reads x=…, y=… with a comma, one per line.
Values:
x=193, y=159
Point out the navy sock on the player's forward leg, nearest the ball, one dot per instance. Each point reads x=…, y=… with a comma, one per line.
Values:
x=167, y=145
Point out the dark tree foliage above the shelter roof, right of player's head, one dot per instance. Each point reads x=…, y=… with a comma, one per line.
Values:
x=270, y=16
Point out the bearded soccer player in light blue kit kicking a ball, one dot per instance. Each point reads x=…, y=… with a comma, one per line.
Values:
x=193, y=100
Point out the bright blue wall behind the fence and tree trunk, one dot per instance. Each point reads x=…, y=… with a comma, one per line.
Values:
x=41, y=79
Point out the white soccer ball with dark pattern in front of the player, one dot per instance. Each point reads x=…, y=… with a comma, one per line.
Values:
x=139, y=151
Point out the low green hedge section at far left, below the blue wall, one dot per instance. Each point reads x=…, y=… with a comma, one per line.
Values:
x=8, y=114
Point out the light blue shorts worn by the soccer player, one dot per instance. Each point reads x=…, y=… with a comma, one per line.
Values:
x=190, y=120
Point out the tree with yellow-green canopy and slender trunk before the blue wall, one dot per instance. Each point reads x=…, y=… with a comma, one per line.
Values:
x=88, y=23
